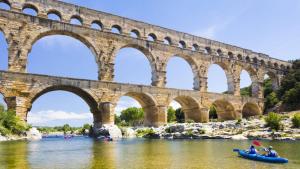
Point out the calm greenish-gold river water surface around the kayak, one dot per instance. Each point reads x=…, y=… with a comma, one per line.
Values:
x=85, y=153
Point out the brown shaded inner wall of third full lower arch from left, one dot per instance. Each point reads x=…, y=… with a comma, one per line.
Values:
x=191, y=109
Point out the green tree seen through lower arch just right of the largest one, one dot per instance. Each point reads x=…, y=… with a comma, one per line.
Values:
x=133, y=116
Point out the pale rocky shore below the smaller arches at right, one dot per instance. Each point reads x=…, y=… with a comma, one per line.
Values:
x=234, y=129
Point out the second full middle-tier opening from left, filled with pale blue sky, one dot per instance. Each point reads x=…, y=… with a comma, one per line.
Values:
x=133, y=66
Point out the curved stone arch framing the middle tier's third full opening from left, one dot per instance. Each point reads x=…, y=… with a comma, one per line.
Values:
x=193, y=65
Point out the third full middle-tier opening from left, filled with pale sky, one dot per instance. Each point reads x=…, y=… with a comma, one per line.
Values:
x=177, y=65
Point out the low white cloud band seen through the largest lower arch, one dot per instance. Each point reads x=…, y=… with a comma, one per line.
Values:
x=52, y=115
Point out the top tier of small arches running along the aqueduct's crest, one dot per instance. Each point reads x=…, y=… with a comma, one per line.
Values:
x=67, y=13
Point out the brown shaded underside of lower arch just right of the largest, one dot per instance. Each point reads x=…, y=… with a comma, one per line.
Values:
x=148, y=104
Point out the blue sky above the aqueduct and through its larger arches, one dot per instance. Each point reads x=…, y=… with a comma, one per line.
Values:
x=269, y=26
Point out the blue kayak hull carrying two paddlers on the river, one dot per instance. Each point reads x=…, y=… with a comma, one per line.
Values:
x=259, y=157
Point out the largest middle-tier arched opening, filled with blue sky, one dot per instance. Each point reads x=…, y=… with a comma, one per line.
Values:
x=61, y=55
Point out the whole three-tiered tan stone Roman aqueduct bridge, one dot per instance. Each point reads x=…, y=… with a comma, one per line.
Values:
x=158, y=44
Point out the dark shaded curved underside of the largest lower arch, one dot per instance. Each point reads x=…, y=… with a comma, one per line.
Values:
x=88, y=98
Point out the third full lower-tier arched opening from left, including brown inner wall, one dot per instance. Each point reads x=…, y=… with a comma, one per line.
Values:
x=185, y=109
